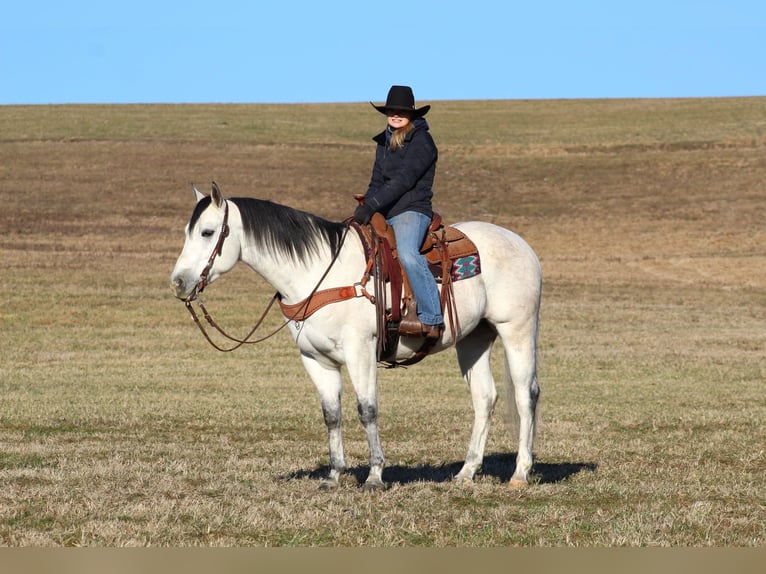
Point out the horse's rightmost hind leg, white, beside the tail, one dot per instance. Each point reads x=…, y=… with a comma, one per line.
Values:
x=521, y=372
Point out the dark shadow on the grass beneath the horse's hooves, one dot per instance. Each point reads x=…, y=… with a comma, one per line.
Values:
x=498, y=466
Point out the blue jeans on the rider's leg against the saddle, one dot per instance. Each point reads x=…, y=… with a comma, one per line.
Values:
x=410, y=228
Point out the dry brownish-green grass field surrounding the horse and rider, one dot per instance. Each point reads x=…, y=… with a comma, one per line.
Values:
x=120, y=426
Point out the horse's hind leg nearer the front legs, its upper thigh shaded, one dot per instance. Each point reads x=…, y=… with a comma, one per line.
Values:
x=473, y=353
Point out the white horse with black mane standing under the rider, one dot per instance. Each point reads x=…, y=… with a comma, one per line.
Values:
x=294, y=251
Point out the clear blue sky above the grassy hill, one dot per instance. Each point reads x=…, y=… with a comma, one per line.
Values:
x=352, y=51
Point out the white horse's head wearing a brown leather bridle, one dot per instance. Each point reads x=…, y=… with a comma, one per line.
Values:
x=204, y=257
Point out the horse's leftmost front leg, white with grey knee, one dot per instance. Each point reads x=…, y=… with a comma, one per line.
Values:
x=329, y=383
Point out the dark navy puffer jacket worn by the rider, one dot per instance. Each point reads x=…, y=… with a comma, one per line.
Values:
x=402, y=180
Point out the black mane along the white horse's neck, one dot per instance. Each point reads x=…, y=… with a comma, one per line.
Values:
x=286, y=231
